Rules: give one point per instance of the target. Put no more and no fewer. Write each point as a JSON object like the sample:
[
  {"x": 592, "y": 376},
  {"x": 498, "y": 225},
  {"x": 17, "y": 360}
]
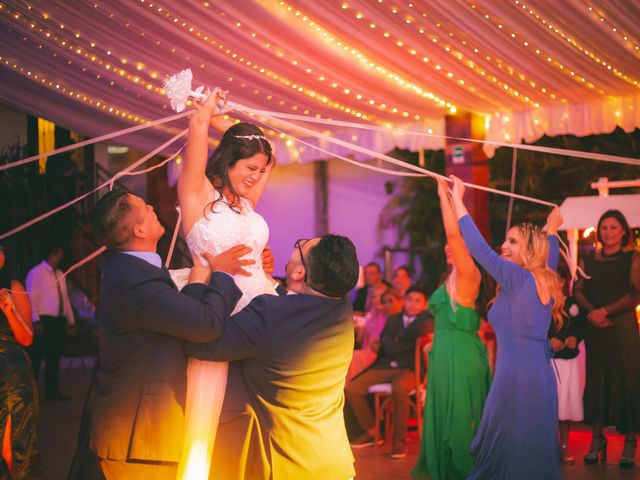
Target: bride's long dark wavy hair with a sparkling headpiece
[{"x": 242, "y": 140}]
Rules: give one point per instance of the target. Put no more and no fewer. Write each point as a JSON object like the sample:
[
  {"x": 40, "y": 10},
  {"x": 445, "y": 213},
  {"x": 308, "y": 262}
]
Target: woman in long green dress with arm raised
[{"x": 458, "y": 377}]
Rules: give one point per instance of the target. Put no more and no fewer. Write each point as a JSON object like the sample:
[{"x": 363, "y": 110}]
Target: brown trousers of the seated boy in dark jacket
[{"x": 402, "y": 380}]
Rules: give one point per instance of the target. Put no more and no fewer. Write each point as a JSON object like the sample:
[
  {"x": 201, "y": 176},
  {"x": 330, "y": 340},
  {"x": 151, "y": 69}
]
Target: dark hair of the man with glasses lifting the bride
[{"x": 333, "y": 266}]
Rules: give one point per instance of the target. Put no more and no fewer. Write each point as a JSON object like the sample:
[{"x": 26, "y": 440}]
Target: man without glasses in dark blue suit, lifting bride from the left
[{"x": 145, "y": 323}]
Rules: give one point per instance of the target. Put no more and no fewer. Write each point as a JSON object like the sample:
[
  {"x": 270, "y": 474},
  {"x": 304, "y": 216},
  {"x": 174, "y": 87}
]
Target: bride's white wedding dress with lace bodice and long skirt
[{"x": 206, "y": 381}]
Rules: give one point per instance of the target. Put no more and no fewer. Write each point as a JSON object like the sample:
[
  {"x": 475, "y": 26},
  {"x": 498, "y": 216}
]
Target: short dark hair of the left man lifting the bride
[{"x": 108, "y": 219}]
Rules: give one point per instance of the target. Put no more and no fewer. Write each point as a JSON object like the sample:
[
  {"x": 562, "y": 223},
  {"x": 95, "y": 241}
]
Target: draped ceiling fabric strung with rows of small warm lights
[{"x": 530, "y": 67}]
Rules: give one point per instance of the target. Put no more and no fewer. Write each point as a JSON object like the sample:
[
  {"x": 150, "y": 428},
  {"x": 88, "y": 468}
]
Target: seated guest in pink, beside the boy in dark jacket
[{"x": 370, "y": 334}]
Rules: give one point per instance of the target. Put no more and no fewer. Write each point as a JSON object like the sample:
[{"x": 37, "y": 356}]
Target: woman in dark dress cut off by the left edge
[{"x": 18, "y": 401}]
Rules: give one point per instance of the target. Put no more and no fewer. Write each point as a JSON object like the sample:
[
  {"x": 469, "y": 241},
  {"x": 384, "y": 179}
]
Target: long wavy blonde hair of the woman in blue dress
[{"x": 534, "y": 251}]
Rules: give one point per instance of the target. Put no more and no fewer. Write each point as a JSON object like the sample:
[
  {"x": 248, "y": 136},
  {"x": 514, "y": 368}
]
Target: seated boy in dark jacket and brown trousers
[{"x": 395, "y": 365}]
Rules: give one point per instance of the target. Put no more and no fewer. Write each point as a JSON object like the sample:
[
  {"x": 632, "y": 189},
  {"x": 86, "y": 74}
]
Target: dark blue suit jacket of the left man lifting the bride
[{"x": 144, "y": 326}]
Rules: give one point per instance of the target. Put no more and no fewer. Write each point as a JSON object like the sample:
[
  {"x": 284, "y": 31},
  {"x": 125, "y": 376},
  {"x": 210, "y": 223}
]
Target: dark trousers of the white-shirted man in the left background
[{"x": 48, "y": 345}]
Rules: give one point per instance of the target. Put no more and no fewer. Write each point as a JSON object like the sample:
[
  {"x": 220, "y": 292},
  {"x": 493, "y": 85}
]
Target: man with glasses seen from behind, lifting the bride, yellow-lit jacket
[{"x": 282, "y": 415}]
